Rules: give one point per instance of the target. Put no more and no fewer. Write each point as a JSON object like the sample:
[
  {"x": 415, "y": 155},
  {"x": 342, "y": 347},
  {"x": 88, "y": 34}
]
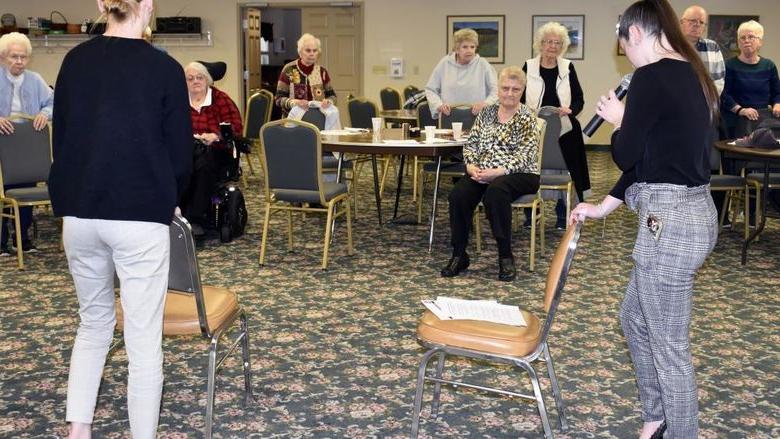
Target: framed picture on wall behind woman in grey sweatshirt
[{"x": 490, "y": 29}]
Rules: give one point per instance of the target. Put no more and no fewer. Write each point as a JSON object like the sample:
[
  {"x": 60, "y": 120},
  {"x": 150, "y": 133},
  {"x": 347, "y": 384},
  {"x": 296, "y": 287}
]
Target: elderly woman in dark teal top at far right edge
[{"x": 751, "y": 81}]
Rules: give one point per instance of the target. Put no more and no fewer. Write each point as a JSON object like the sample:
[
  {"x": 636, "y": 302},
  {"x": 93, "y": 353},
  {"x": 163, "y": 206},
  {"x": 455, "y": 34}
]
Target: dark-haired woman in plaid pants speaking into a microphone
[{"x": 662, "y": 143}]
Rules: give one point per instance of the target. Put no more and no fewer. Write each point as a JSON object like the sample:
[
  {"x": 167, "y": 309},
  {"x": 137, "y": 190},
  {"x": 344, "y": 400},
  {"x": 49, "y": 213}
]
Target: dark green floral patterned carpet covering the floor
[{"x": 334, "y": 352}]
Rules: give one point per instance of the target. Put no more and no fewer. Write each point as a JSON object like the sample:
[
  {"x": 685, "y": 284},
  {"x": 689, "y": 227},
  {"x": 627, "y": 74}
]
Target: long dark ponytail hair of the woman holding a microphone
[{"x": 657, "y": 17}]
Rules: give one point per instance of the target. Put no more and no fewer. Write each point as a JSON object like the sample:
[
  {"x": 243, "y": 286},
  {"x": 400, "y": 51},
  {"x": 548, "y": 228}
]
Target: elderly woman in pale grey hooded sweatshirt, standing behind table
[{"x": 461, "y": 77}]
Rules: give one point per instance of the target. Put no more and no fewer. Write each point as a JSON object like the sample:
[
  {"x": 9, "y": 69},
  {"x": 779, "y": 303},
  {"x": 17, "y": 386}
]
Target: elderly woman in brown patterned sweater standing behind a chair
[{"x": 304, "y": 83}]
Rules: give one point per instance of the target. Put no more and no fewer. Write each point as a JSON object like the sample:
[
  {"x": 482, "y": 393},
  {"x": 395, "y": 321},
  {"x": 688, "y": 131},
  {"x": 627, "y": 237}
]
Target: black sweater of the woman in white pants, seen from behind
[{"x": 122, "y": 132}]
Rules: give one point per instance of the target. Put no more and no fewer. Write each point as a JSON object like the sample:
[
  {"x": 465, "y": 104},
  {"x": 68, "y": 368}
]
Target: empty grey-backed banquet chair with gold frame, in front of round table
[{"x": 293, "y": 169}]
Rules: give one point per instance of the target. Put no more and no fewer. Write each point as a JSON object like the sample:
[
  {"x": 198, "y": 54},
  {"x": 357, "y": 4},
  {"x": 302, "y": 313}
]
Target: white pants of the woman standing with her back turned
[{"x": 139, "y": 251}]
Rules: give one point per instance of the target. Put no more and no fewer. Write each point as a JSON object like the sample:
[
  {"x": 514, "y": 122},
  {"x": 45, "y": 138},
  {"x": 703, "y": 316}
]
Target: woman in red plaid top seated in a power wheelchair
[{"x": 209, "y": 107}]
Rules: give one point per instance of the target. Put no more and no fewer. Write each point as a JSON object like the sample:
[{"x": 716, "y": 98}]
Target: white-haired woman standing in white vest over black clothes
[{"x": 552, "y": 81}]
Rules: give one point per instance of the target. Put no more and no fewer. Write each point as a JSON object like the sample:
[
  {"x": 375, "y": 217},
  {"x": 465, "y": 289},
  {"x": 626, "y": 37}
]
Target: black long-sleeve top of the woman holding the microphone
[{"x": 666, "y": 132}]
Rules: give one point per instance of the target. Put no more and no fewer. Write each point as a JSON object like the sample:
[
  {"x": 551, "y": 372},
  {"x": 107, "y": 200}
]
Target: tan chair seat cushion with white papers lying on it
[{"x": 482, "y": 336}]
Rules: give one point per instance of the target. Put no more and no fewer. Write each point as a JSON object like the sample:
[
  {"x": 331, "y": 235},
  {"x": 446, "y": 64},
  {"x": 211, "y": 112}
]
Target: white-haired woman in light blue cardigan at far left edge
[{"x": 21, "y": 92}]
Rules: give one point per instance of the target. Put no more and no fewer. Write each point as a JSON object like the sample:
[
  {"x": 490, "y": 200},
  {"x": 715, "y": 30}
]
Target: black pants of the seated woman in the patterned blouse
[{"x": 497, "y": 198}]
